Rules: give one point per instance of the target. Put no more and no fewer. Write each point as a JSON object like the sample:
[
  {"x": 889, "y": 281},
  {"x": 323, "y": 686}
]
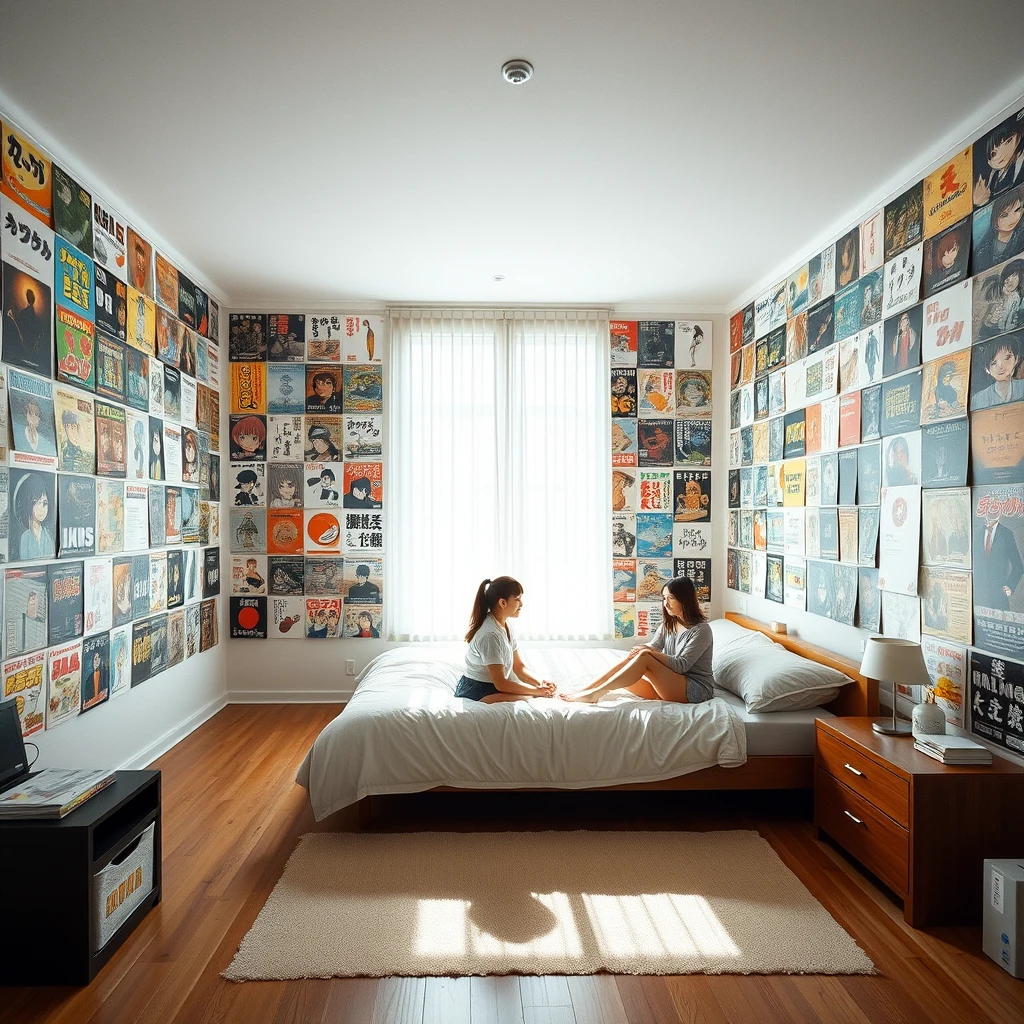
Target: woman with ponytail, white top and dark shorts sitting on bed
[{"x": 494, "y": 669}]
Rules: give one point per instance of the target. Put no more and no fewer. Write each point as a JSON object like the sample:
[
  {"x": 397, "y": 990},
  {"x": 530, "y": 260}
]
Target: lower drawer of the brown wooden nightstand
[{"x": 872, "y": 837}]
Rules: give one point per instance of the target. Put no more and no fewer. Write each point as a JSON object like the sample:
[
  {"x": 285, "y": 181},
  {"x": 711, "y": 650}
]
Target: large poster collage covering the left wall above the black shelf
[{"x": 110, "y": 477}]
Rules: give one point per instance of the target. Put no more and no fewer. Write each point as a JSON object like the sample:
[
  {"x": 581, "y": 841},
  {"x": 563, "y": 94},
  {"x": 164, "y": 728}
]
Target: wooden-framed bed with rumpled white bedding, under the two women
[{"x": 405, "y": 732}]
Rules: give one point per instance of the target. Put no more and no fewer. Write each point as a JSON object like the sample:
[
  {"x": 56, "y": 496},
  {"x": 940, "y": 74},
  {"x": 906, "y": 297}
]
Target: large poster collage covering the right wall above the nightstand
[{"x": 877, "y": 433}]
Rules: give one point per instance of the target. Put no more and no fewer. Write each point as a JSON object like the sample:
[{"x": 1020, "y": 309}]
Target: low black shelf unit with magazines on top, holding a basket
[{"x": 47, "y": 871}]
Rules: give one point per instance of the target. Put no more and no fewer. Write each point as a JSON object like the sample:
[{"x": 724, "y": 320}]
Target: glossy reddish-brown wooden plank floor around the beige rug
[{"x": 233, "y": 815}]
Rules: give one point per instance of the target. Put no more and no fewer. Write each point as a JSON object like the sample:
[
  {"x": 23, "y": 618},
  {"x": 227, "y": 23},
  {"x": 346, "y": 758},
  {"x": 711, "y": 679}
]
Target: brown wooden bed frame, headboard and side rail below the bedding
[{"x": 787, "y": 772}]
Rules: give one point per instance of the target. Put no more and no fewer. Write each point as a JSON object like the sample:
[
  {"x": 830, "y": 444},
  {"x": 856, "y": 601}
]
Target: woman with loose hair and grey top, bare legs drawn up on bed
[{"x": 675, "y": 665}]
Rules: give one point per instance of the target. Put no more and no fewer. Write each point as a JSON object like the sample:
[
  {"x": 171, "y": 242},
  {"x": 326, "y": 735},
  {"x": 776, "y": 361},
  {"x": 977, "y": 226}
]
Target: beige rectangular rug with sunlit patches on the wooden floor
[{"x": 570, "y": 903}]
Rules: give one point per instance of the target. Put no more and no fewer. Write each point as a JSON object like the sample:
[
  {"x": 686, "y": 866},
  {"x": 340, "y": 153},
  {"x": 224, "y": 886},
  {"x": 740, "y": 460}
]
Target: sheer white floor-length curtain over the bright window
[{"x": 498, "y": 456}]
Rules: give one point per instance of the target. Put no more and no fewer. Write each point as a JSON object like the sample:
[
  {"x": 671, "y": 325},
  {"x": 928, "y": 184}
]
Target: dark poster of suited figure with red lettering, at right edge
[{"x": 999, "y": 544}]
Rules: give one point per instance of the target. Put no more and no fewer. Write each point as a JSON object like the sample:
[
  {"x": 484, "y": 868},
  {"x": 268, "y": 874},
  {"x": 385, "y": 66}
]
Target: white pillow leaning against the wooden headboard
[{"x": 771, "y": 678}]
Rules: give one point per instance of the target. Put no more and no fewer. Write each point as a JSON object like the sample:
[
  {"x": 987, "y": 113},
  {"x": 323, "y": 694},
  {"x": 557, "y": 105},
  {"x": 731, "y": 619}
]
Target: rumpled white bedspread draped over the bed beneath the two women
[{"x": 405, "y": 732}]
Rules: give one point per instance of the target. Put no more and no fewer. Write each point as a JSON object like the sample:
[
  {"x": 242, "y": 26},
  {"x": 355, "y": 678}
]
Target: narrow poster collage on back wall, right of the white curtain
[{"x": 661, "y": 465}]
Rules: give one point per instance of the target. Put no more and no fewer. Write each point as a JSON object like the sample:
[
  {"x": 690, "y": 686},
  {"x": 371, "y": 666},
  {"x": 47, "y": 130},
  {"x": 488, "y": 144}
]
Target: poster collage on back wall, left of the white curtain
[{"x": 307, "y": 480}]
